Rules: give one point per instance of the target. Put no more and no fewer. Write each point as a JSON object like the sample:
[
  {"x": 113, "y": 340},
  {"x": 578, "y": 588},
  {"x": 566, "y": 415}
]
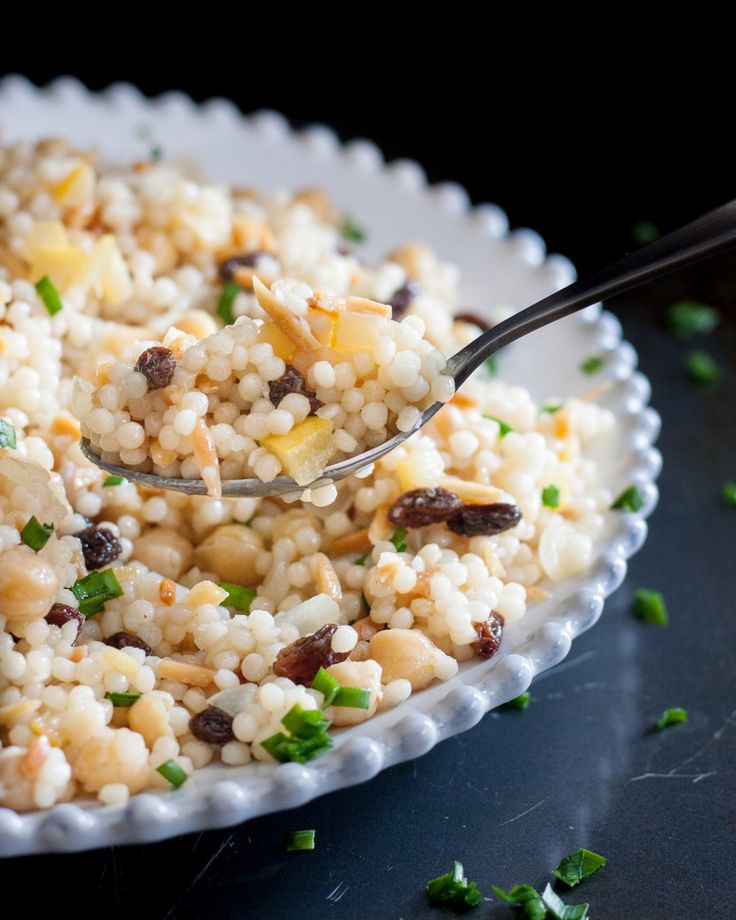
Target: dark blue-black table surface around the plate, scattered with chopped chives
[{"x": 581, "y": 767}]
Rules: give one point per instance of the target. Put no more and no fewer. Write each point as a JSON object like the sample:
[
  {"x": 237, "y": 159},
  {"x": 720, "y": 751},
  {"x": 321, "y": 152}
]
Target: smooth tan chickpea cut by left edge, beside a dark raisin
[{"x": 28, "y": 585}]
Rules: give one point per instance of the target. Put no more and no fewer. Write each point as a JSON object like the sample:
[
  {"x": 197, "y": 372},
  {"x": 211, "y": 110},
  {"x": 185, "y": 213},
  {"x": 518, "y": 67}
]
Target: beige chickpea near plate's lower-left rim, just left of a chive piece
[{"x": 113, "y": 756}]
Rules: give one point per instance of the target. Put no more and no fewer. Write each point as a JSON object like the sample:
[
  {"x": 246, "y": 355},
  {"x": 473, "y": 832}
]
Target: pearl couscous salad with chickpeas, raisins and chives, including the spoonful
[{"x": 146, "y": 634}]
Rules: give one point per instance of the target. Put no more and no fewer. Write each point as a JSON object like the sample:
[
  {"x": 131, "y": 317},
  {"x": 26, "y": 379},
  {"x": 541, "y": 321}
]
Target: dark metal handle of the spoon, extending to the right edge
[{"x": 706, "y": 236}]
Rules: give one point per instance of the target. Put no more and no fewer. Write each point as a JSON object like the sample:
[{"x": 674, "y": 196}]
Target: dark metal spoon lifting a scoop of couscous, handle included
[{"x": 706, "y": 236}]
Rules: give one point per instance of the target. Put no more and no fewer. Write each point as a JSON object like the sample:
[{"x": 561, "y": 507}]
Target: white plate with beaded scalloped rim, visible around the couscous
[{"x": 395, "y": 203}]
